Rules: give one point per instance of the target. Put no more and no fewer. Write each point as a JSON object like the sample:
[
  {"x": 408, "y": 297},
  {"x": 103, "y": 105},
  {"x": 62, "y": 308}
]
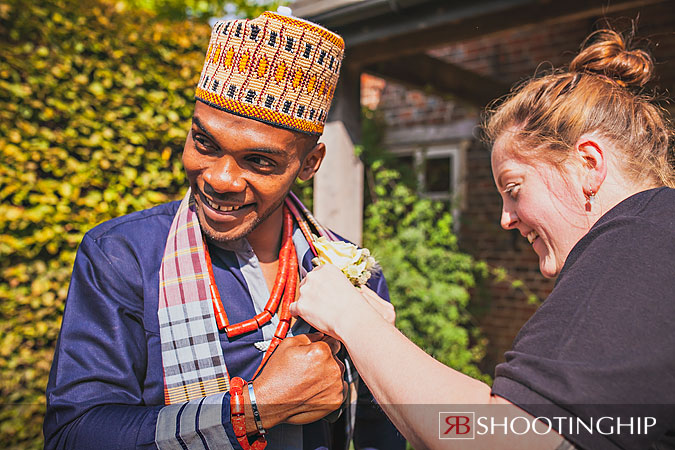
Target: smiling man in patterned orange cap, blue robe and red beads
[{"x": 177, "y": 331}]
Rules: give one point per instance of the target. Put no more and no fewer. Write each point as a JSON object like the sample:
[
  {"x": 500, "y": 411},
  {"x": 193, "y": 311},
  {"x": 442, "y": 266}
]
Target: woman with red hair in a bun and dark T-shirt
[{"x": 583, "y": 161}]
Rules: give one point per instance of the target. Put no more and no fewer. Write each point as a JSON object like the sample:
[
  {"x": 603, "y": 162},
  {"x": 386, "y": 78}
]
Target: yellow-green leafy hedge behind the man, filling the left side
[{"x": 95, "y": 104}]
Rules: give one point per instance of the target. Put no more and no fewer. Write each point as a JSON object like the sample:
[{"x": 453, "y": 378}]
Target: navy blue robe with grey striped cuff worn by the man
[{"x": 106, "y": 386}]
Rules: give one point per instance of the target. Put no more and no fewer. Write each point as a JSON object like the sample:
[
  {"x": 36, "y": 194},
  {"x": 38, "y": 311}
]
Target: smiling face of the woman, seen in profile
[{"x": 546, "y": 204}]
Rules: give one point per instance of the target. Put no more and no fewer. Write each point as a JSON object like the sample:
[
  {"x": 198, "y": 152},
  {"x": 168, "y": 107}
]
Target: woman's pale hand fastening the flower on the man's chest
[{"x": 328, "y": 302}]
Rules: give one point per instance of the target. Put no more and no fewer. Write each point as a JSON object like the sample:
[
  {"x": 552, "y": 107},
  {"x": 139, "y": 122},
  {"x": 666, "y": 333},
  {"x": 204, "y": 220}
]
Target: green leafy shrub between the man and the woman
[{"x": 431, "y": 282}]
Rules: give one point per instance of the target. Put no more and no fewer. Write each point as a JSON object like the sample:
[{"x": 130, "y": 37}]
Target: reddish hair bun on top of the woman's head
[{"x": 605, "y": 52}]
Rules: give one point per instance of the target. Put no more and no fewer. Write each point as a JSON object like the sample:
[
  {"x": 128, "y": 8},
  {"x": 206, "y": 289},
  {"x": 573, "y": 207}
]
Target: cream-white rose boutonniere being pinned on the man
[{"x": 356, "y": 263}]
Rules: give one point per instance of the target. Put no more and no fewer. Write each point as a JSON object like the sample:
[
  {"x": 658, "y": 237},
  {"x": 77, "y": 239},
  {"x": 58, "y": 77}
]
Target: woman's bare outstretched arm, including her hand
[{"x": 405, "y": 380}]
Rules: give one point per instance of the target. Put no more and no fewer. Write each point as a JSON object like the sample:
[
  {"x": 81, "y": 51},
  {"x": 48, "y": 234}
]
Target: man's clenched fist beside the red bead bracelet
[{"x": 302, "y": 381}]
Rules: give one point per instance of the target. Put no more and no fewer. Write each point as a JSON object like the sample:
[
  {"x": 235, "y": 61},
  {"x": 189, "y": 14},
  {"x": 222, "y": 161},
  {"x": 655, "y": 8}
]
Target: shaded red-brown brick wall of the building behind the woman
[{"x": 509, "y": 56}]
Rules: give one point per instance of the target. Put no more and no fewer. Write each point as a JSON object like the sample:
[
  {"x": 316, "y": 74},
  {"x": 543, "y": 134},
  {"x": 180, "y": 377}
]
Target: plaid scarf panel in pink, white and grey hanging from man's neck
[{"x": 192, "y": 357}]
